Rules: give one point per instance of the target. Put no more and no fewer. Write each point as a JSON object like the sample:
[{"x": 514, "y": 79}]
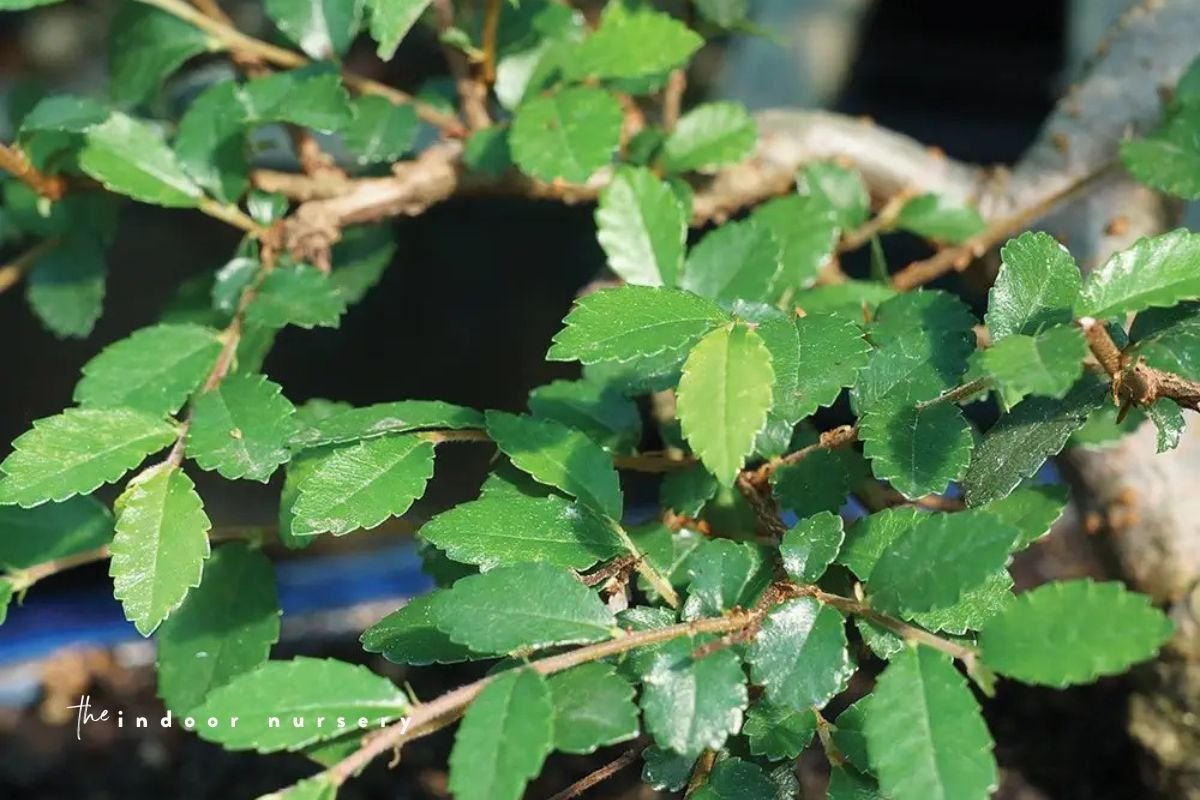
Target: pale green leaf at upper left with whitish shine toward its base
[{"x": 130, "y": 158}]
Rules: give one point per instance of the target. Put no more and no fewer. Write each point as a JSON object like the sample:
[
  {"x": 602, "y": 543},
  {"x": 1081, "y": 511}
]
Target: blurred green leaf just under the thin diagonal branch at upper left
[{"x": 311, "y": 98}]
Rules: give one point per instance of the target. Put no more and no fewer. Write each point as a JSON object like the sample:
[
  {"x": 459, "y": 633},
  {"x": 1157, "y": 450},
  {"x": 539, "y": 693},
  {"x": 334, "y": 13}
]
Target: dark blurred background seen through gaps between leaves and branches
[{"x": 465, "y": 315}]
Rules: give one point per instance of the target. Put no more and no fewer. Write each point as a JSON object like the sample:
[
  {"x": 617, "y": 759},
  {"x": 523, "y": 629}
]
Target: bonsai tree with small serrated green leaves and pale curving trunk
[{"x": 712, "y": 639}]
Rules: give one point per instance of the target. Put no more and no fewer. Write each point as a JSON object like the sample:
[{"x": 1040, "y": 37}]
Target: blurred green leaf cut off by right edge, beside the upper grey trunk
[{"x": 1169, "y": 159}]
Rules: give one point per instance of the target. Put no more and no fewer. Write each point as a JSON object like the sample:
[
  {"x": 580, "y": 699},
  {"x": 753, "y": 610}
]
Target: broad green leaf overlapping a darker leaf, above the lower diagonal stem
[{"x": 526, "y": 606}]
